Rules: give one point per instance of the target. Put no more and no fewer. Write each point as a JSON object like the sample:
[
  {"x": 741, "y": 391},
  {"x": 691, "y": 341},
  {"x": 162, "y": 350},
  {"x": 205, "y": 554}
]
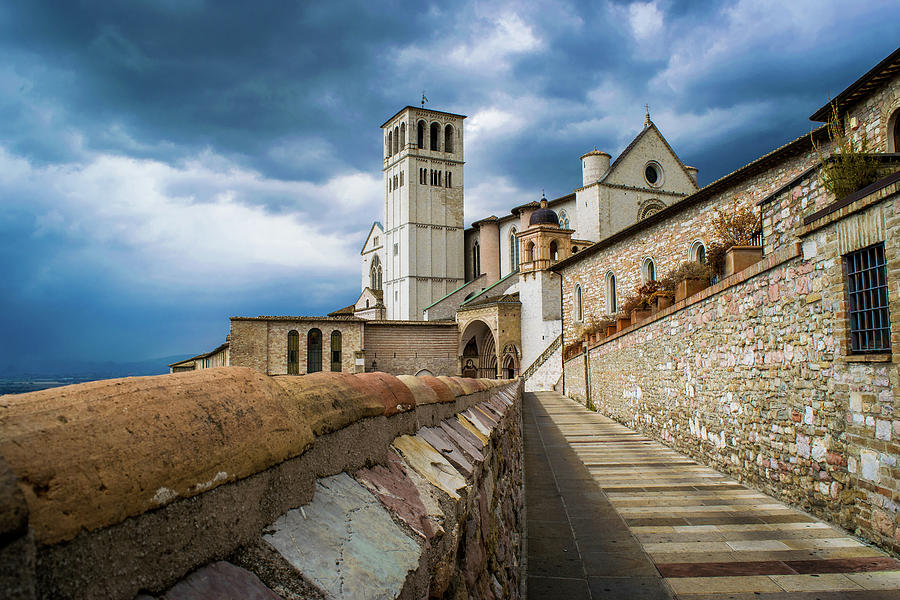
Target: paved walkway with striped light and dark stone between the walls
[{"x": 614, "y": 514}]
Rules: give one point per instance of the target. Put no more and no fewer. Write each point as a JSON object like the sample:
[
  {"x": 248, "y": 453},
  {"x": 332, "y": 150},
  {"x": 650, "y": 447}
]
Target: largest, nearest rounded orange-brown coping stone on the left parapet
[{"x": 92, "y": 454}]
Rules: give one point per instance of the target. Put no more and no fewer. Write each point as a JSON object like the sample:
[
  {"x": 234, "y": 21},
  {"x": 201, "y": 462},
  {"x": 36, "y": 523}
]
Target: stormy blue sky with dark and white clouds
[{"x": 166, "y": 164}]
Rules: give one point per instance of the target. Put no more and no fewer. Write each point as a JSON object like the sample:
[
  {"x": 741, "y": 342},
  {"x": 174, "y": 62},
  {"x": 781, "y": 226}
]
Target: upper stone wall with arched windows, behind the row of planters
[{"x": 668, "y": 243}]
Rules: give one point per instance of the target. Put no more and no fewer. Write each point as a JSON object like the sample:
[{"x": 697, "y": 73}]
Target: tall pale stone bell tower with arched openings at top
[{"x": 423, "y": 209}]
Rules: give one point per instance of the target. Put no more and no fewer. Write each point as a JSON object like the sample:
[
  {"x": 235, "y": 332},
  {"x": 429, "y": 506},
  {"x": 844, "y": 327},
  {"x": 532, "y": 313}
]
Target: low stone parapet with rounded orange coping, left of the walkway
[{"x": 227, "y": 483}]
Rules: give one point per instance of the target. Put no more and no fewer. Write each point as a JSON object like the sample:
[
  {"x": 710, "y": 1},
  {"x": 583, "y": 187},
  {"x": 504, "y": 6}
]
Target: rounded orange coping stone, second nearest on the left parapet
[{"x": 328, "y": 402}]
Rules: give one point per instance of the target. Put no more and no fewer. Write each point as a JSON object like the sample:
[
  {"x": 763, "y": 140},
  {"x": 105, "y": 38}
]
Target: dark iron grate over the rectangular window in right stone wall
[{"x": 870, "y": 327}]
